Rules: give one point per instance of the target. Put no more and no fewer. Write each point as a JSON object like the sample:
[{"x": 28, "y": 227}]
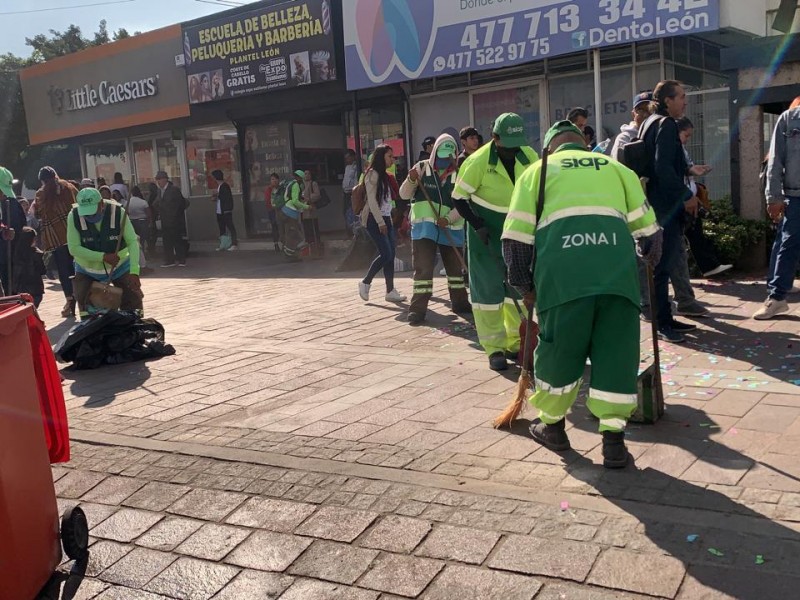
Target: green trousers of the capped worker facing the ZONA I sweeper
[{"x": 496, "y": 318}]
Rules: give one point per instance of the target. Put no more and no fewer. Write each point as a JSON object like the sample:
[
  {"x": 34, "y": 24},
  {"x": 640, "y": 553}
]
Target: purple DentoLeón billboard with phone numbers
[{"x": 388, "y": 41}]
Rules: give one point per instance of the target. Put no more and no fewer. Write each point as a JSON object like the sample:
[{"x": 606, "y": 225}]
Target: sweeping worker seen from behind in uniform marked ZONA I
[{"x": 584, "y": 283}]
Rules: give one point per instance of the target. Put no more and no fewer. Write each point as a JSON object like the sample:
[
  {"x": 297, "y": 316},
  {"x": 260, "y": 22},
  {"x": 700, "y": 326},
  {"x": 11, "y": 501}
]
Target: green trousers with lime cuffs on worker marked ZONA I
[{"x": 606, "y": 330}]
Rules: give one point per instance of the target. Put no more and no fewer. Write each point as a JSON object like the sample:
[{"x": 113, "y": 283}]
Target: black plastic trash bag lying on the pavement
[{"x": 112, "y": 338}]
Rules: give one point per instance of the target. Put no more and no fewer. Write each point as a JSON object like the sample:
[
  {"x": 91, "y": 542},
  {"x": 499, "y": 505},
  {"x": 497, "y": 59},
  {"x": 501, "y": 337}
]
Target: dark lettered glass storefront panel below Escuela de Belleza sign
[{"x": 267, "y": 150}]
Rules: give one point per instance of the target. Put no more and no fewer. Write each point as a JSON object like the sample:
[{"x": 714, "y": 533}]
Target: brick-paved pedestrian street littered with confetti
[{"x": 303, "y": 441}]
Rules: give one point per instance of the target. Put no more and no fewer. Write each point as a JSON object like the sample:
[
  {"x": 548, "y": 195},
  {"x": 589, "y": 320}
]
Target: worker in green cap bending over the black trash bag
[{"x": 93, "y": 229}]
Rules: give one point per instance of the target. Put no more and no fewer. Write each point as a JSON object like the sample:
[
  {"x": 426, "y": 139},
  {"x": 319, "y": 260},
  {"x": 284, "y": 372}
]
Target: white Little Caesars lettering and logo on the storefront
[{"x": 106, "y": 93}]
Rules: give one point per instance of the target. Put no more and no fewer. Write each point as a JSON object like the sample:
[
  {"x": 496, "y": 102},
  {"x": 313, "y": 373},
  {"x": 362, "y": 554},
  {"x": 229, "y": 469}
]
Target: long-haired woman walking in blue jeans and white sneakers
[{"x": 377, "y": 218}]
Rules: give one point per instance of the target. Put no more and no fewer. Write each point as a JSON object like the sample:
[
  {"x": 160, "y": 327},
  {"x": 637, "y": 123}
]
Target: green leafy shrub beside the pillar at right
[{"x": 732, "y": 235}]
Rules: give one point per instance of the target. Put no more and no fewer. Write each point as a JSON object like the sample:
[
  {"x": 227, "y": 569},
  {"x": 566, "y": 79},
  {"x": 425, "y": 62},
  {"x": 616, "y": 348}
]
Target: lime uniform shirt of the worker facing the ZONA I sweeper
[{"x": 484, "y": 180}]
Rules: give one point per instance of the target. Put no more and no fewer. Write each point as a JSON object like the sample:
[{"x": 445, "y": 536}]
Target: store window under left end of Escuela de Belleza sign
[{"x": 210, "y": 148}]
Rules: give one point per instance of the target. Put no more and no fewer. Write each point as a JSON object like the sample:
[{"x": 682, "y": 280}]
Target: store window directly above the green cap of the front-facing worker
[{"x": 524, "y": 101}]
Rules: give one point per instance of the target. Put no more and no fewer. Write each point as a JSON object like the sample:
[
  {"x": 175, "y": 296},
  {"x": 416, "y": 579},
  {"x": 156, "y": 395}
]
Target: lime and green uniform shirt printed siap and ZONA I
[{"x": 594, "y": 207}]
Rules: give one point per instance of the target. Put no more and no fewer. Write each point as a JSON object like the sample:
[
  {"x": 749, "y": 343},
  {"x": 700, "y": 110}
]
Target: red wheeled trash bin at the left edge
[{"x": 29, "y": 527}]
